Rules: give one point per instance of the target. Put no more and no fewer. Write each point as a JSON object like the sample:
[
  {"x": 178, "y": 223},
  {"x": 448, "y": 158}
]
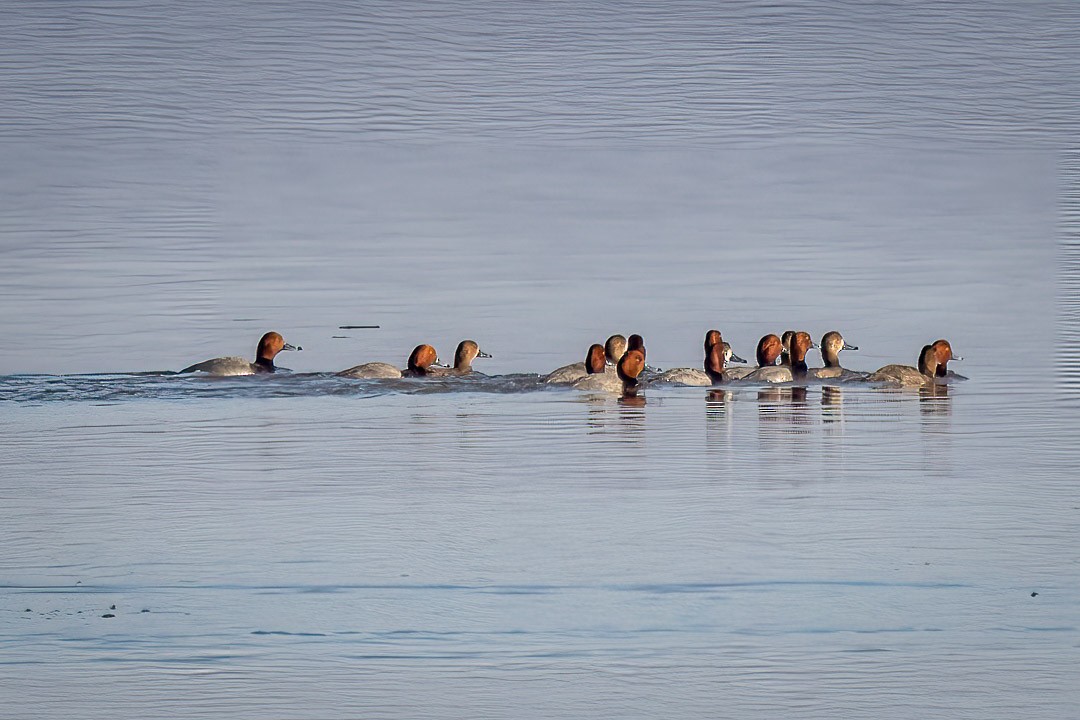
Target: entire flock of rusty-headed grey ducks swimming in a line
[{"x": 619, "y": 366}]
